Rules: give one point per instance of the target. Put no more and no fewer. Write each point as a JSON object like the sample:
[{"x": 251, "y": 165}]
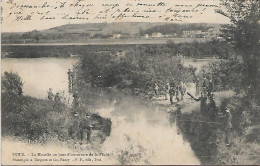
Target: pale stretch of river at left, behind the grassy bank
[{"x": 40, "y": 74}]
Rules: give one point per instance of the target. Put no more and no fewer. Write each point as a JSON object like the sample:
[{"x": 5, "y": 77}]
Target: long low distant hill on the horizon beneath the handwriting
[{"x": 89, "y": 31}]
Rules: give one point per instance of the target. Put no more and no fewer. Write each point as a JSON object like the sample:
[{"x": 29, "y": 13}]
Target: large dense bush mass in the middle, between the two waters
[{"x": 135, "y": 73}]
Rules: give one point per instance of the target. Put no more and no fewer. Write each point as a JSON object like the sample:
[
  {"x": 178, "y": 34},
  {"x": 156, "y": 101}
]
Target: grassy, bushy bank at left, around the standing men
[{"x": 41, "y": 121}]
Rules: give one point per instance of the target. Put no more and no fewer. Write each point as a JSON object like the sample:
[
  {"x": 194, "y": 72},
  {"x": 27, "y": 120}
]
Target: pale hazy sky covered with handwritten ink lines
[{"x": 27, "y": 15}]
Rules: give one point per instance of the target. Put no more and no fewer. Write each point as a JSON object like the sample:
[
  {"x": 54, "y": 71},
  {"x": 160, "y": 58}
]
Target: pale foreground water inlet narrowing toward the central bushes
[{"x": 145, "y": 136}]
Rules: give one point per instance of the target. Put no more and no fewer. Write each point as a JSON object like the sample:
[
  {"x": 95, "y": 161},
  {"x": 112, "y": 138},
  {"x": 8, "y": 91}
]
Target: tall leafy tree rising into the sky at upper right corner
[{"x": 243, "y": 34}]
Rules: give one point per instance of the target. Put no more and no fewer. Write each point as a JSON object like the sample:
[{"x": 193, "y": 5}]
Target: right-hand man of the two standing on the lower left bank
[{"x": 86, "y": 128}]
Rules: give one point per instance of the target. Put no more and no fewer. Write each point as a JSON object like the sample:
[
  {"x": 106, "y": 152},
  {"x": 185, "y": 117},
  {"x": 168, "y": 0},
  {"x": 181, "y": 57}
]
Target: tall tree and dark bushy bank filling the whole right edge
[{"x": 241, "y": 74}]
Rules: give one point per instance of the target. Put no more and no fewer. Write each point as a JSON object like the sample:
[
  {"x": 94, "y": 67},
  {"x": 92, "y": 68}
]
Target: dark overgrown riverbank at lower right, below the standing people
[{"x": 207, "y": 137}]
